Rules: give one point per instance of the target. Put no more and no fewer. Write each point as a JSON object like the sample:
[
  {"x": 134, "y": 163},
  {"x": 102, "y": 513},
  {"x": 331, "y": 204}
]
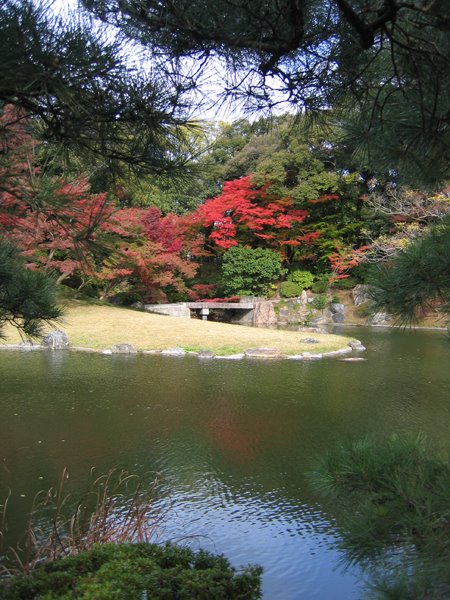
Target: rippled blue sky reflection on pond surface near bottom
[{"x": 290, "y": 540}]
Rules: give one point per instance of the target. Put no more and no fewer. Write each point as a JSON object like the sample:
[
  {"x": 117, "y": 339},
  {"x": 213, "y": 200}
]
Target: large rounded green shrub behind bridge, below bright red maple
[{"x": 250, "y": 271}]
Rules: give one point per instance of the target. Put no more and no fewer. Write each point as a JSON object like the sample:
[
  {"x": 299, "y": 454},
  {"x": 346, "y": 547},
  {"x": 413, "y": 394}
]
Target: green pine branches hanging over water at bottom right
[{"x": 394, "y": 497}]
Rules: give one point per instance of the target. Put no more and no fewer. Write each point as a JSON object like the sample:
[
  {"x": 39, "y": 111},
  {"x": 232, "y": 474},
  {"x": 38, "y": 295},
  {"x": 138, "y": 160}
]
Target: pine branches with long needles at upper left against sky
[{"x": 80, "y": 91}]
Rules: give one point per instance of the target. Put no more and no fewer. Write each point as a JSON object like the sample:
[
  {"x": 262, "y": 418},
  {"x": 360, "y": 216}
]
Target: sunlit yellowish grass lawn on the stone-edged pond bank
[{"x": 99, "y": 326}]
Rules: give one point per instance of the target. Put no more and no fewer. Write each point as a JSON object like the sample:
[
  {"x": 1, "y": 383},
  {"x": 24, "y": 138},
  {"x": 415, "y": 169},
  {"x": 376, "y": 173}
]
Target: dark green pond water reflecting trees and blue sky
[{"x": 233, "y": 441}]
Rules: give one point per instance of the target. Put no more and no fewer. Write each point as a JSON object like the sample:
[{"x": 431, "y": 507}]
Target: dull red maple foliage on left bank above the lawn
[{"x": 60, "y": 231}]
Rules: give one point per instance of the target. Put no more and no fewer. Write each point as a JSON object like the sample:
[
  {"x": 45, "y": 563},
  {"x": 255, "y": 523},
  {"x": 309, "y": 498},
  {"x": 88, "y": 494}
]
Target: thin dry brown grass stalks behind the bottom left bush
[{"x": 117, "y": 509}]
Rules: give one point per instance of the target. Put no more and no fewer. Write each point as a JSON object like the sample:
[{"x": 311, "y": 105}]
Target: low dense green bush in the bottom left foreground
[{"x": 132, "y": 571}]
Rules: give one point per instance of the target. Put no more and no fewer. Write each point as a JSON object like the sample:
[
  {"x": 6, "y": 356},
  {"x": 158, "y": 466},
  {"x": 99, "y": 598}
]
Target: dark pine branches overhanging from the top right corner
[{"x": 384, "y": 64}]
